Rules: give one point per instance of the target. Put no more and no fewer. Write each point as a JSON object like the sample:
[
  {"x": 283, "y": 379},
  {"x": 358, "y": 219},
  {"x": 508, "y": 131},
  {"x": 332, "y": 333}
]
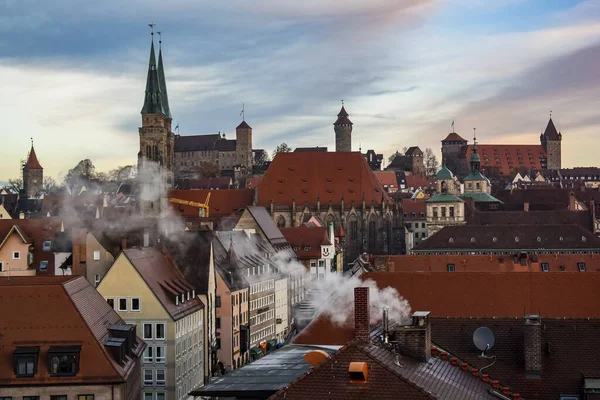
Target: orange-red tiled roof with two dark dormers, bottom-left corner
[{"x": 58, "y": 311}]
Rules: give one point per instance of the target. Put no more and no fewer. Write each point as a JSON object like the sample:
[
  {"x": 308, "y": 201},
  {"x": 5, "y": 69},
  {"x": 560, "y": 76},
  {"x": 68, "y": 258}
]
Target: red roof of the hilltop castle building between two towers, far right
[{"x": 509, "y": 156}]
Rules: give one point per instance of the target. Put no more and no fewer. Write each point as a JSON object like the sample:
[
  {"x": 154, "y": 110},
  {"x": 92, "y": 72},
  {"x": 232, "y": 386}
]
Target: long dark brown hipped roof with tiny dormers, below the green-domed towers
[{"x": 471, "y": 238}]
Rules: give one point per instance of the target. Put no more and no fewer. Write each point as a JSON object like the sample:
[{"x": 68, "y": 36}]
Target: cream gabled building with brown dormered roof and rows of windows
[{"x": 147, "y": 290}]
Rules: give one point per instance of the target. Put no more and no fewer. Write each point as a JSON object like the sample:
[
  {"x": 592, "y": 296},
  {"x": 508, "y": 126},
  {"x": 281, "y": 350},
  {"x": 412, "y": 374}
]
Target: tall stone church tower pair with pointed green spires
[{"x": 155, "y": 158}]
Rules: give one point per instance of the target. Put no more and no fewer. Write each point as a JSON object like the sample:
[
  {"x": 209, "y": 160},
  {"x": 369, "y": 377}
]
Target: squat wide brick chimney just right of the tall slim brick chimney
[{"x": 415, "y": 339}]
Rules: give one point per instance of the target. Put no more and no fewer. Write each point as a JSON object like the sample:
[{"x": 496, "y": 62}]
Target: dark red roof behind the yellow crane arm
[{"x": 222, "y": 202}]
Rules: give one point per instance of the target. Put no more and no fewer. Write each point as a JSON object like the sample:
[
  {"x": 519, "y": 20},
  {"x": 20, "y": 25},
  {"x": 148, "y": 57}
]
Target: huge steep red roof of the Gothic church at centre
[{"x": 330, "y": 176}]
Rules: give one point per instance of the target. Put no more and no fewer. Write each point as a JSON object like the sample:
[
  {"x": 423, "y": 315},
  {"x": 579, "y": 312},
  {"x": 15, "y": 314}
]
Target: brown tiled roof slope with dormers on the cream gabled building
[{"x": 164, "y": 279}]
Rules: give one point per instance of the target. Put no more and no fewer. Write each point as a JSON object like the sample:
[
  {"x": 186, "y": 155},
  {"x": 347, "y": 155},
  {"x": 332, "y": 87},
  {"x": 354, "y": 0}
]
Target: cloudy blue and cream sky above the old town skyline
[{"x": 72, "y": 74}]
